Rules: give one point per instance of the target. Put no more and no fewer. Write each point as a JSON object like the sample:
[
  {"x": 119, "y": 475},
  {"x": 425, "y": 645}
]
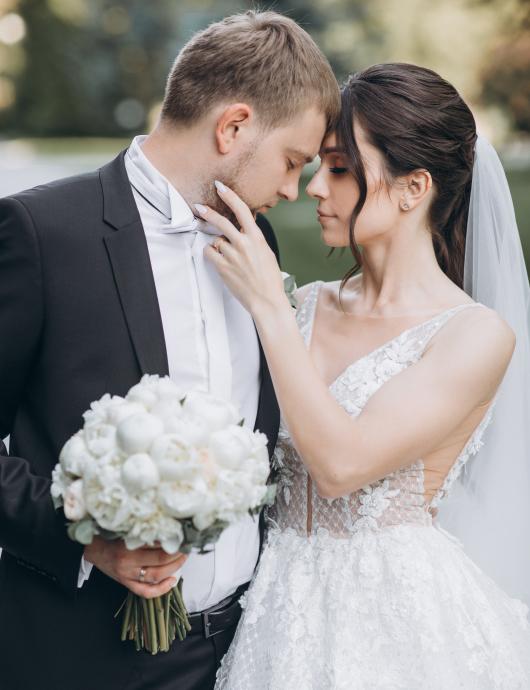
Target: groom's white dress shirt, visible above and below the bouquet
[{"x": 211, "y": 346}]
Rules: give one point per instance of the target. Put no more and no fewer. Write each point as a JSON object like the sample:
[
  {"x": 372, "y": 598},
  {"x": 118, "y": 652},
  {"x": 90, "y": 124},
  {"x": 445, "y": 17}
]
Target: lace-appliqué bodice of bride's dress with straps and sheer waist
[{"x": 395, "y": 499}]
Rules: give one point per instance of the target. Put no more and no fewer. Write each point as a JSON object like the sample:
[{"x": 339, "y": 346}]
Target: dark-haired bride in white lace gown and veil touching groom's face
[{"x": 387, "y": 384}]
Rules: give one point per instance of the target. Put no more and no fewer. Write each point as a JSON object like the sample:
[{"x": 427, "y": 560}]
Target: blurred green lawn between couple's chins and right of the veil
[{"x": 304, "y": 254}]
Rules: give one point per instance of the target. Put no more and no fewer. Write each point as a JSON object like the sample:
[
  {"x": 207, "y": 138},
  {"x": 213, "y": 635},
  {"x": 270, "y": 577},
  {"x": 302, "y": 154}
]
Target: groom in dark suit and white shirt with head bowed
[{"x": 102, "y": 279}]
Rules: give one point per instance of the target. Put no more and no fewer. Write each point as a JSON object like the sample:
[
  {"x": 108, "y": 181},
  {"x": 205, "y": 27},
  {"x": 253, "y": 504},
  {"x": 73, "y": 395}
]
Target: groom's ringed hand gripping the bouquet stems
[{"x": 127, "y": 567}]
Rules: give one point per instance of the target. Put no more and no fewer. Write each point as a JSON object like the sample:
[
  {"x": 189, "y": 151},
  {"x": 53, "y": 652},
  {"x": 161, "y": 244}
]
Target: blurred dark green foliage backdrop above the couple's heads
[{"x": 98, "y": 67}]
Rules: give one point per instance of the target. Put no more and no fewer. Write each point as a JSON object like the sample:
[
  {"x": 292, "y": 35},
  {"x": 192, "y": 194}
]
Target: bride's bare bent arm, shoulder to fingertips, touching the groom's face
[{"x": 403, "y": 421}]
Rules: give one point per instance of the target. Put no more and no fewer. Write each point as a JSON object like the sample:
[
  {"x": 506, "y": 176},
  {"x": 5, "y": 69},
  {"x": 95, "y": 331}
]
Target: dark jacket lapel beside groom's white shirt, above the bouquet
[{"x": 131, "y": 267}]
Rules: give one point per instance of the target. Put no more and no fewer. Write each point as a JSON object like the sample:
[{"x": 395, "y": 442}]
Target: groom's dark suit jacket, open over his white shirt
[{"x": 79, "y": 317}]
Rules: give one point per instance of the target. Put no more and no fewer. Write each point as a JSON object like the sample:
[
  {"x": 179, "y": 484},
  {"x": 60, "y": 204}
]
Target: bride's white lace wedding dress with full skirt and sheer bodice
[{"x": 365, "y": 592}]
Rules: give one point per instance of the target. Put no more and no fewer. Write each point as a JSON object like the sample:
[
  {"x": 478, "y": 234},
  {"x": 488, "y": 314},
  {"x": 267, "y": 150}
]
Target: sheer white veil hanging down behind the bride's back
[{"x": 489, "y": 507}]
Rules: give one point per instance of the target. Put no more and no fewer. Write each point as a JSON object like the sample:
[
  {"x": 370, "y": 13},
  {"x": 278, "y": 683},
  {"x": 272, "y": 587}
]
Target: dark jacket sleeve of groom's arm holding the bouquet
[{"x": 30, "y": 528}]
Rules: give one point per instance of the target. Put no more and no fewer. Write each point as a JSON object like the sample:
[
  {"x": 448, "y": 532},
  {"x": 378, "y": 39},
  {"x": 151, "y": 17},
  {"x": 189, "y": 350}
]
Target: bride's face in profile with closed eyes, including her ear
[{"x": 337, "y": 192}]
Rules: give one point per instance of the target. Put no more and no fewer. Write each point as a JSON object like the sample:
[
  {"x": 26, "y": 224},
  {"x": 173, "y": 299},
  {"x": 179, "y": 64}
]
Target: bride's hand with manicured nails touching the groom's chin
[{"x": 243, "y": 258}]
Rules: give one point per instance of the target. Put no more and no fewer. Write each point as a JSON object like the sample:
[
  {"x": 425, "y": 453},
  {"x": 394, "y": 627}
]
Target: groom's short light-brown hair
[{"x": 261, "y": 58}]
